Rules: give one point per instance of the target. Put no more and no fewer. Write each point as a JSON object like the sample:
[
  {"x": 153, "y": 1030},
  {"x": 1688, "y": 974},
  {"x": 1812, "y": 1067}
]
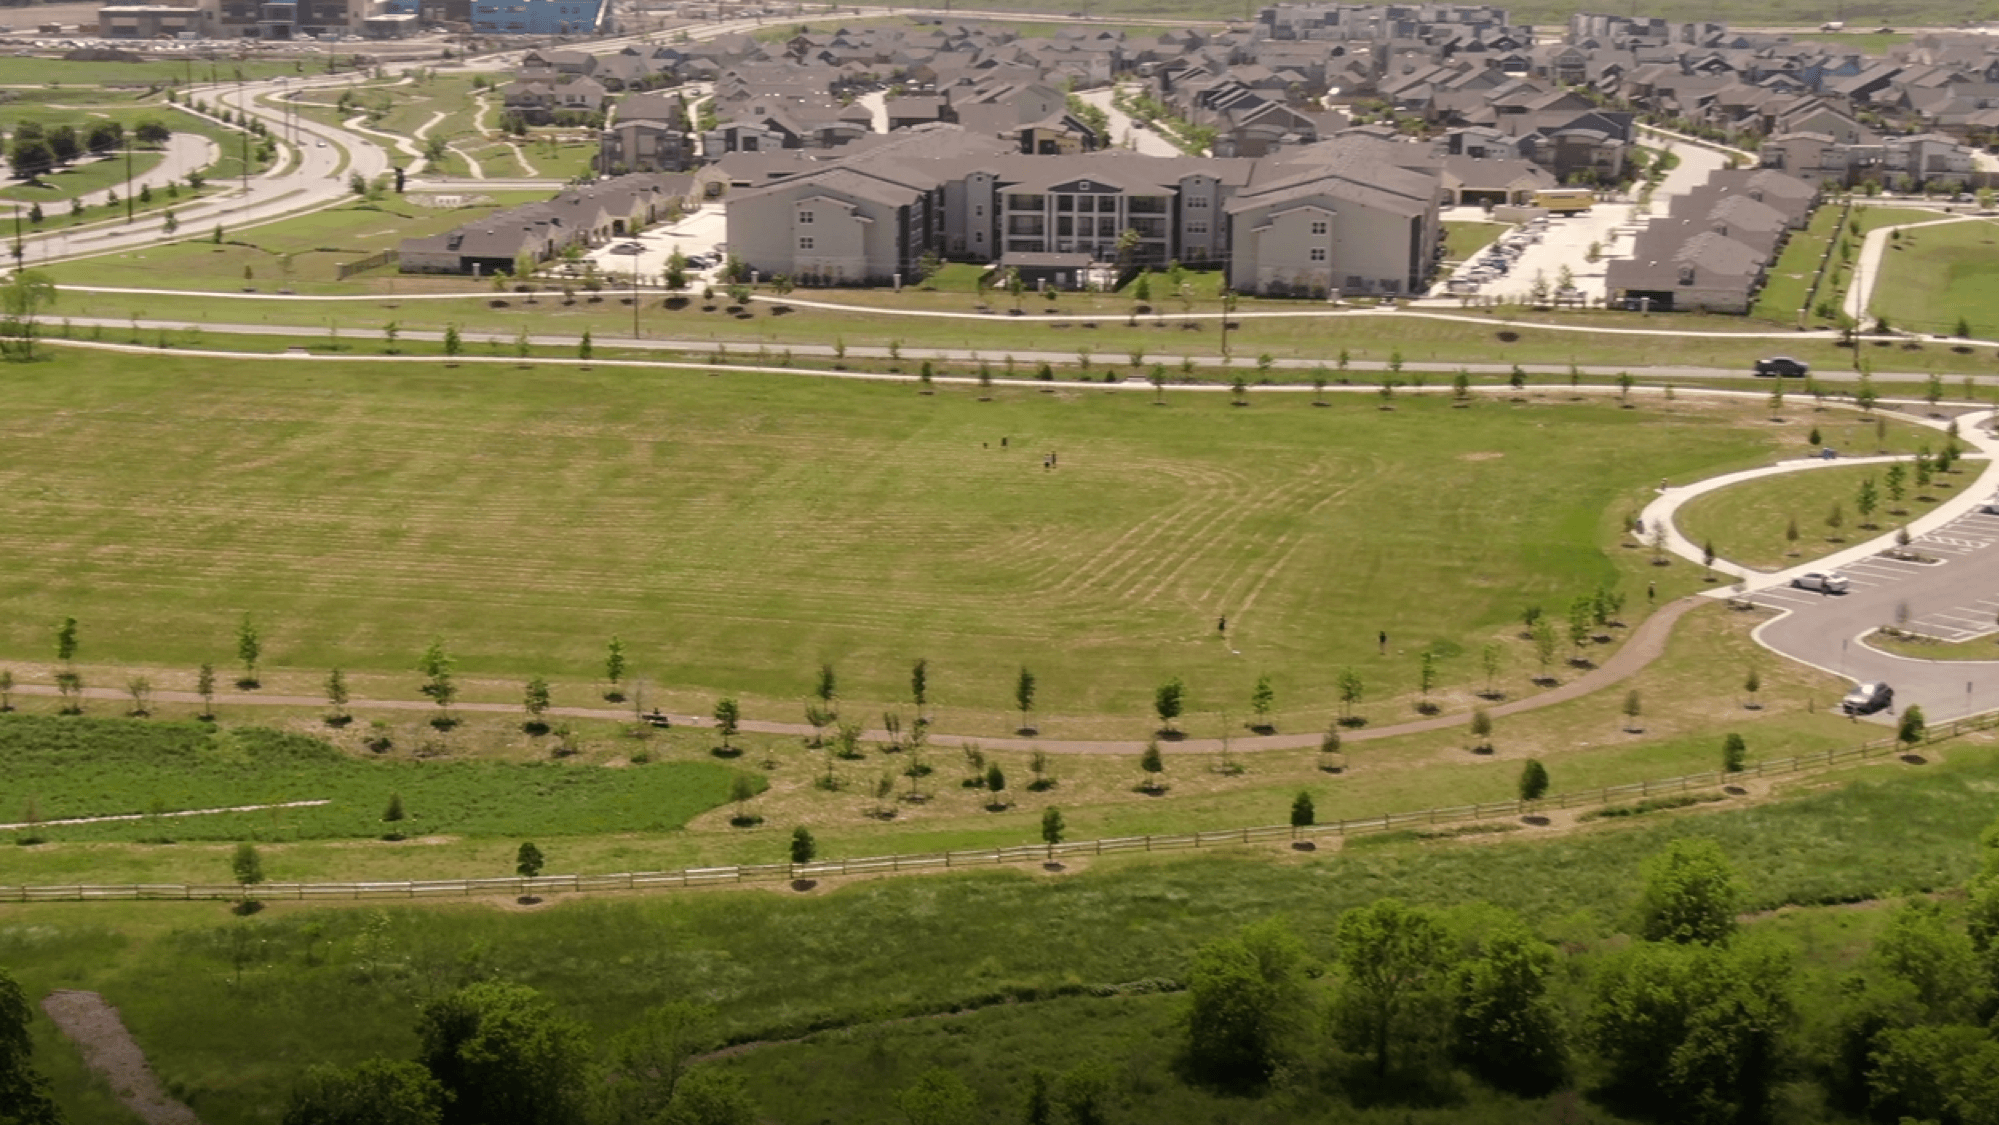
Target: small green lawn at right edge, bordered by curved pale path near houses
[{"x": 1940, "y": 275}]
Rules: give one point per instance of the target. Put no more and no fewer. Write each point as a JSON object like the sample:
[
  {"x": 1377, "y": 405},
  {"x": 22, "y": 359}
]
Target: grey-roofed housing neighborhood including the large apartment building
[{"x": 1320, "y": 147}]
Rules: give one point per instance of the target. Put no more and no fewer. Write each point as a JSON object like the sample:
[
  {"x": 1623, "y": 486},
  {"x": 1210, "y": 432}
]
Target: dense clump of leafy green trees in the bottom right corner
[{"x": 1684, "y": 1020}]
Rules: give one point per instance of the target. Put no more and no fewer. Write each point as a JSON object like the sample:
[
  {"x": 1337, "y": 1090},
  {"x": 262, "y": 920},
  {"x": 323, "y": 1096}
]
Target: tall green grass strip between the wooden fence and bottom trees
[{"x": 339, "y": 984}]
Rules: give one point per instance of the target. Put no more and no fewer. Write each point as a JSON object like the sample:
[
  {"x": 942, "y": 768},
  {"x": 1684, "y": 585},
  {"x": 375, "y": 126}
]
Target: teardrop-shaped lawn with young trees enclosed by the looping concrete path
[{"x": 1748, "y": 523}]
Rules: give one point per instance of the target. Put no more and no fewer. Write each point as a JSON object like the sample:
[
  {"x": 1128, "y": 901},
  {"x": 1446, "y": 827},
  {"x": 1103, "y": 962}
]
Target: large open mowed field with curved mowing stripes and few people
[{"x": 741, "y": 531}]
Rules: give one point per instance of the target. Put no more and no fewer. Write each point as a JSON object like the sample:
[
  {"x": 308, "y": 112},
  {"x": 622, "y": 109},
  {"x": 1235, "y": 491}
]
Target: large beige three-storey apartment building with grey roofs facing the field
[{"x": 1330, "y": 219}]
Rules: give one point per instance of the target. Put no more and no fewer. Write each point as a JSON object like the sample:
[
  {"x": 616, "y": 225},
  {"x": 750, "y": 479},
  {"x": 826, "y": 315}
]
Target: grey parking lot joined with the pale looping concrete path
[{"x": 1954, "y": 598}]
